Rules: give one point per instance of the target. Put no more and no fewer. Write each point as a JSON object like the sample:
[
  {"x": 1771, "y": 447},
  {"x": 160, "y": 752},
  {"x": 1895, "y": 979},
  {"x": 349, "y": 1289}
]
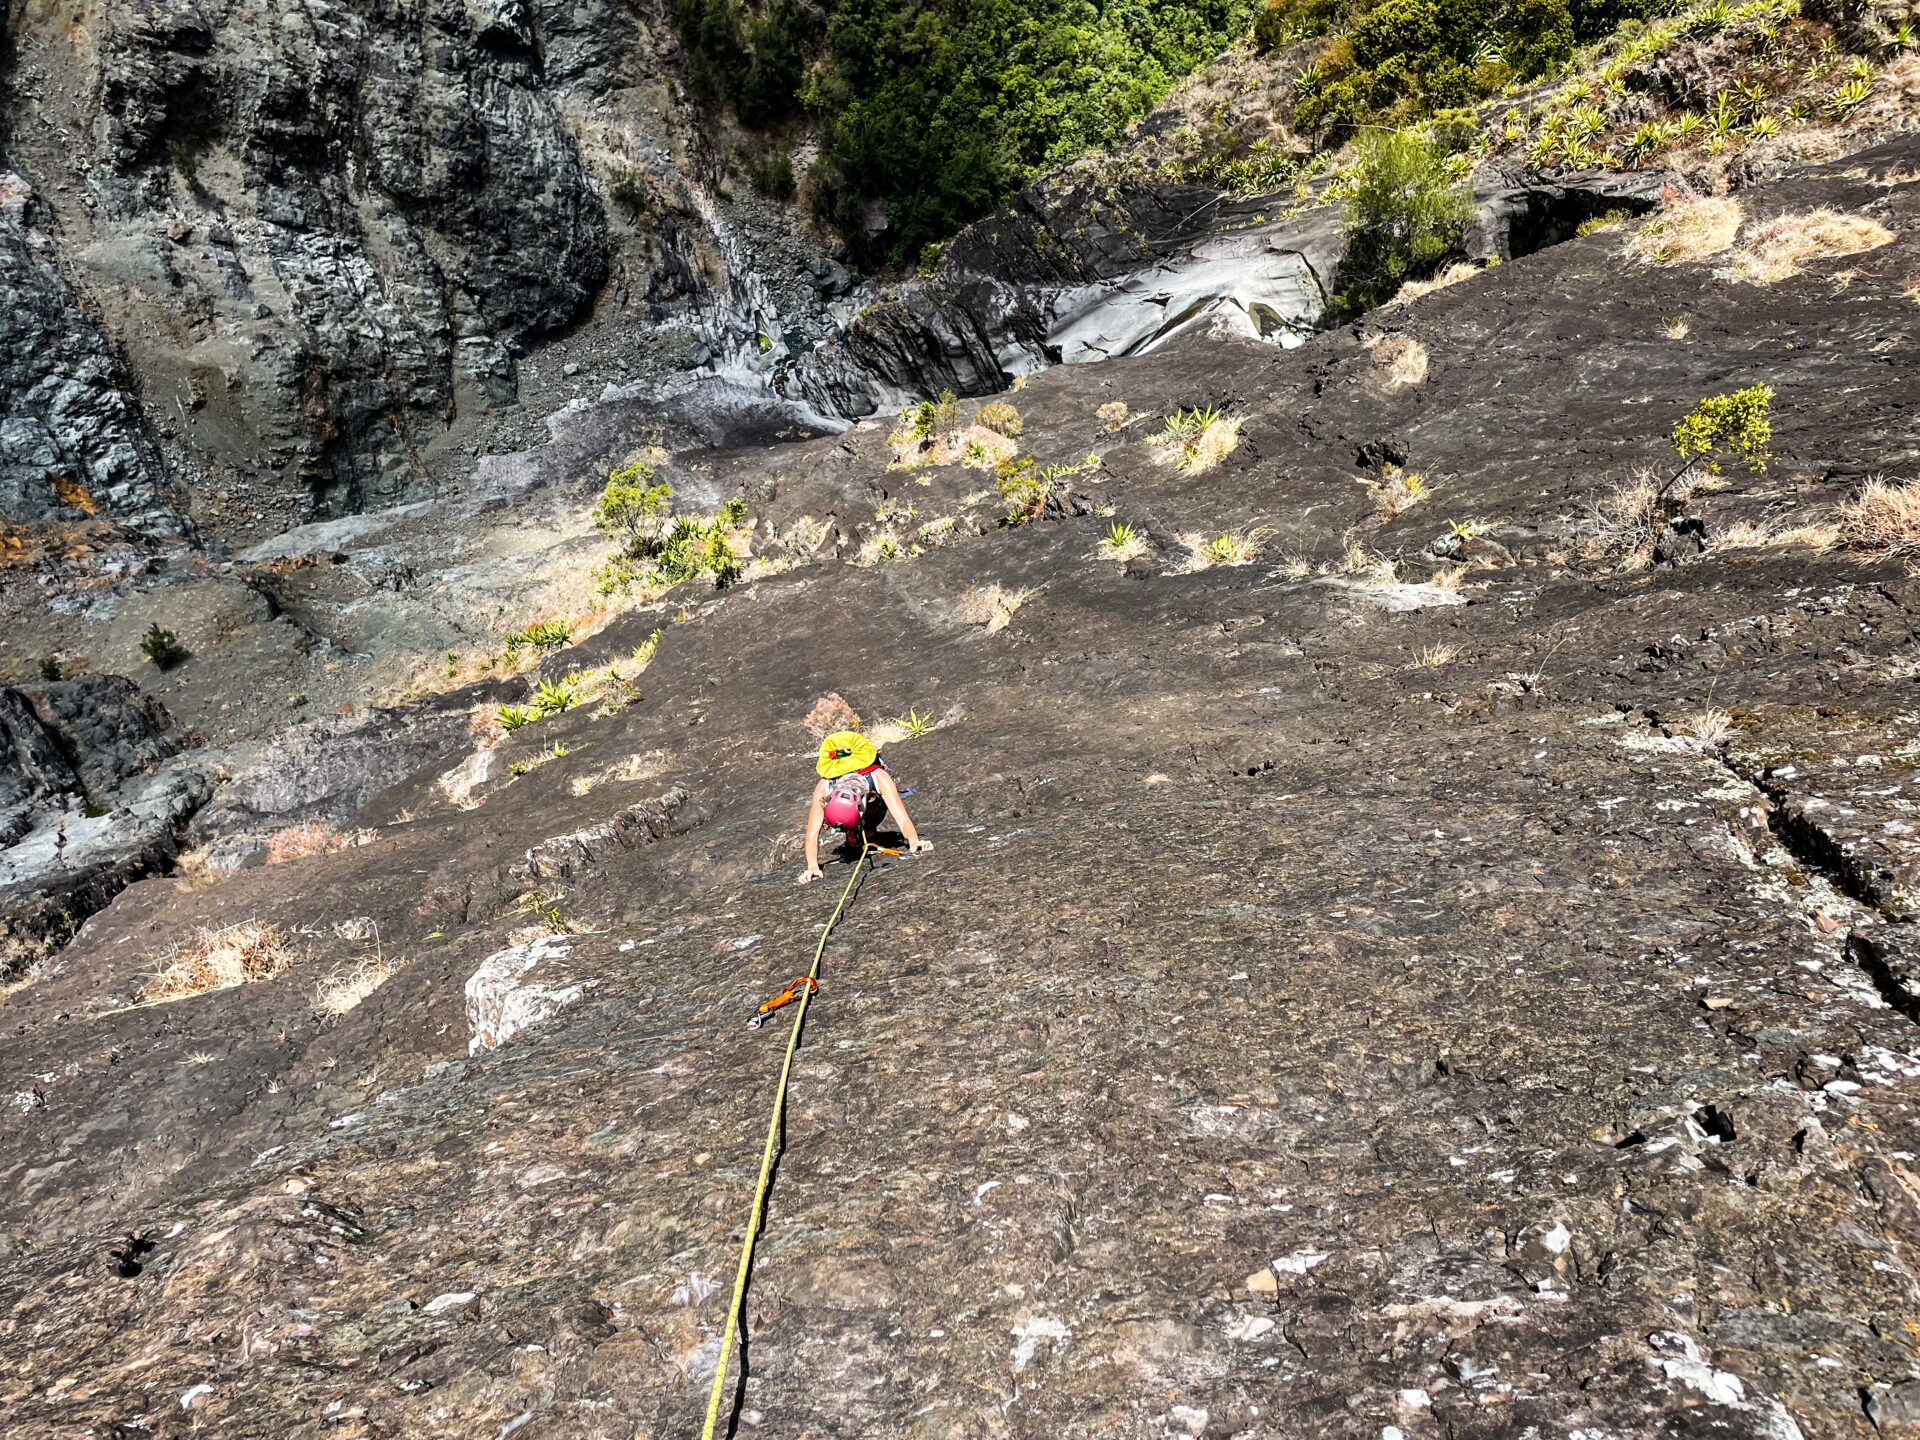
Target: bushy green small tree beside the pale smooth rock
[{"x": 1403, "y": 218}]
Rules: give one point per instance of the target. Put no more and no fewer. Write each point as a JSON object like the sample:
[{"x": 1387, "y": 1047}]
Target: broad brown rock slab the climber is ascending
[{"x": 1397, "y": 959}]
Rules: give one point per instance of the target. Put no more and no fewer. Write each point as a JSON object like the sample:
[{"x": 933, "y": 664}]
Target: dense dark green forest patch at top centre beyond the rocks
[{"x": 944, "y": 108}]
